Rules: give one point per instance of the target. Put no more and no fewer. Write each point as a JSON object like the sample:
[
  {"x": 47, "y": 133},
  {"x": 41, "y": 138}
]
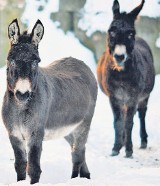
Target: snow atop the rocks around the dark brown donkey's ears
[{"x": 98, "y": 16}]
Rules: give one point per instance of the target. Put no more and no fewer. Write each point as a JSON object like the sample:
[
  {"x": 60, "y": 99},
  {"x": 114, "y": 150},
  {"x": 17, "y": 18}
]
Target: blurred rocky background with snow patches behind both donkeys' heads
[{"x": 87, "y": 20}]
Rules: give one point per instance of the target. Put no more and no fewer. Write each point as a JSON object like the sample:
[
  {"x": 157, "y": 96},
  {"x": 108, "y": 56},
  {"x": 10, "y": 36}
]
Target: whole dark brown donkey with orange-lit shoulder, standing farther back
[{"x": 126, "y": 74}]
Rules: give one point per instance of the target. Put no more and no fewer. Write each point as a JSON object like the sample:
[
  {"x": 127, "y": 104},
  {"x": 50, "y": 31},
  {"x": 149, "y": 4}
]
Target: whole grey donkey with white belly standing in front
[{"x": 42, "y": 103}]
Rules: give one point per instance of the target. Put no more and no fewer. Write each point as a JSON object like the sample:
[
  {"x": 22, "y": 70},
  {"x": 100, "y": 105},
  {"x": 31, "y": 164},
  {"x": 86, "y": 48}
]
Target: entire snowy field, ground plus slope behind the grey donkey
[{"x": 142, "y": 170}]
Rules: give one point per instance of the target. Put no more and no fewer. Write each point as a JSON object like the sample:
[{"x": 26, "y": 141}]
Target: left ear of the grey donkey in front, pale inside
[{"x": 14, "y": 32}]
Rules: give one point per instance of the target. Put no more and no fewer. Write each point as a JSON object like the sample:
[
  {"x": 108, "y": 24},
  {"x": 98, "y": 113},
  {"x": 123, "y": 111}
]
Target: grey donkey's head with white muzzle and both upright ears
[{"x": 22, "y": 61}]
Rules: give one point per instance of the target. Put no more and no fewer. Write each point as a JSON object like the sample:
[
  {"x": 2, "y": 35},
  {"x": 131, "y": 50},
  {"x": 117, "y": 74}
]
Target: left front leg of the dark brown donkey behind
[{"x": 118, "y": 127}]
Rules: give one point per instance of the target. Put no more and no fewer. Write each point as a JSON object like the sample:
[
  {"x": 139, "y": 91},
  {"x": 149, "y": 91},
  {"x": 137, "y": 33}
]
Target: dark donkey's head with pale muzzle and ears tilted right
[{"x": 121, "y": 34}]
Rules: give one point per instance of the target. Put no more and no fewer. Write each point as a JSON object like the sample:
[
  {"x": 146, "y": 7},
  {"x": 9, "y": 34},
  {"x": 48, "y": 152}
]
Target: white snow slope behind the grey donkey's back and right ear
[{"x": 55, "y": 44}]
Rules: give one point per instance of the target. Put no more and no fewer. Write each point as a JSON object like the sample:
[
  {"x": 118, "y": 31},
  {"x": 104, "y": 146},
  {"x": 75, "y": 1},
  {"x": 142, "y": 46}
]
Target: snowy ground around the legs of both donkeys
[{"x": 142, "y": 170}]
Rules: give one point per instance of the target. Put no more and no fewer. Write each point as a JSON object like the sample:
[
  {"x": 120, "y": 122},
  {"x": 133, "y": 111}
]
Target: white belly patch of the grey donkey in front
[{"x": 60, "y": 132}]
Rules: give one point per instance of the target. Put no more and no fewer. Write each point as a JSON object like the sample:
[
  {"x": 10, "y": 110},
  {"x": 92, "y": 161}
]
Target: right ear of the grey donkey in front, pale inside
[{"x": 37, "y": 32}]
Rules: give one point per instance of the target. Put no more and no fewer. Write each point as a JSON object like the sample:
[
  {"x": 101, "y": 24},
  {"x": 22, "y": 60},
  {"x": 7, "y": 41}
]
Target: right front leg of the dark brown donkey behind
[{"x": 128, "y": 131}]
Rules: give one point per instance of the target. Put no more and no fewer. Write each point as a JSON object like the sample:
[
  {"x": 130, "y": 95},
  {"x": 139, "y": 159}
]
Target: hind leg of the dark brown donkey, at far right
[{"x": 142, "y": 108}]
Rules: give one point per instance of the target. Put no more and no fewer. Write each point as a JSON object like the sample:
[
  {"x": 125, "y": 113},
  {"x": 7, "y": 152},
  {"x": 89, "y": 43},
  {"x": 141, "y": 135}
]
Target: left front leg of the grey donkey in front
[{"x": 20, "y": 157}]
